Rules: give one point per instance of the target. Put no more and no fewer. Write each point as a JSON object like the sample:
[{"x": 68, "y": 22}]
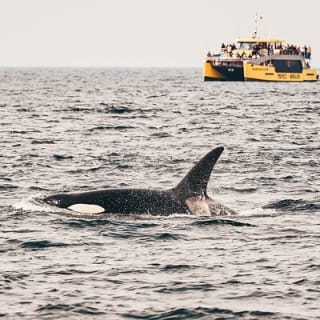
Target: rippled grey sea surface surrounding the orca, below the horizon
[{"x": 64, "y": 130}]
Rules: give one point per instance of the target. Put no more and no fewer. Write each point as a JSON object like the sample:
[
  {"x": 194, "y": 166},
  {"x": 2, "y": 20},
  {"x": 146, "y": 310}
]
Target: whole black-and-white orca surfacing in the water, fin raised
[{"x": 188, "y": 197}]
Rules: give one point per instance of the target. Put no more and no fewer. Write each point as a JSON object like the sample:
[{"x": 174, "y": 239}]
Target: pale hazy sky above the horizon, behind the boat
[{"x": 138, "y": 33}]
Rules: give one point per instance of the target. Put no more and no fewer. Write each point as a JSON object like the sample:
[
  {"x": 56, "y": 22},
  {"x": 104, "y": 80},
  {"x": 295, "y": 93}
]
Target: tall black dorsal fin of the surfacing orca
[{"x": 195, "y": 183}]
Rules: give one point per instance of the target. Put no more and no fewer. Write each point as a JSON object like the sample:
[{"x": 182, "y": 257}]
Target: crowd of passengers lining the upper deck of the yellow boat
[{"x": 261, "y": 49}]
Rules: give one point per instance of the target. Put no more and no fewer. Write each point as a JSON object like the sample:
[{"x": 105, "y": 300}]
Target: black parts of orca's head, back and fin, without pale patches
[{"x": 125, "y": 201}]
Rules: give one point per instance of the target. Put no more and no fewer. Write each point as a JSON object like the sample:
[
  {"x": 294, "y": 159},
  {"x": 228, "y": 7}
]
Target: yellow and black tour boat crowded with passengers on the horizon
[{"x": 259, "y": 59}]
